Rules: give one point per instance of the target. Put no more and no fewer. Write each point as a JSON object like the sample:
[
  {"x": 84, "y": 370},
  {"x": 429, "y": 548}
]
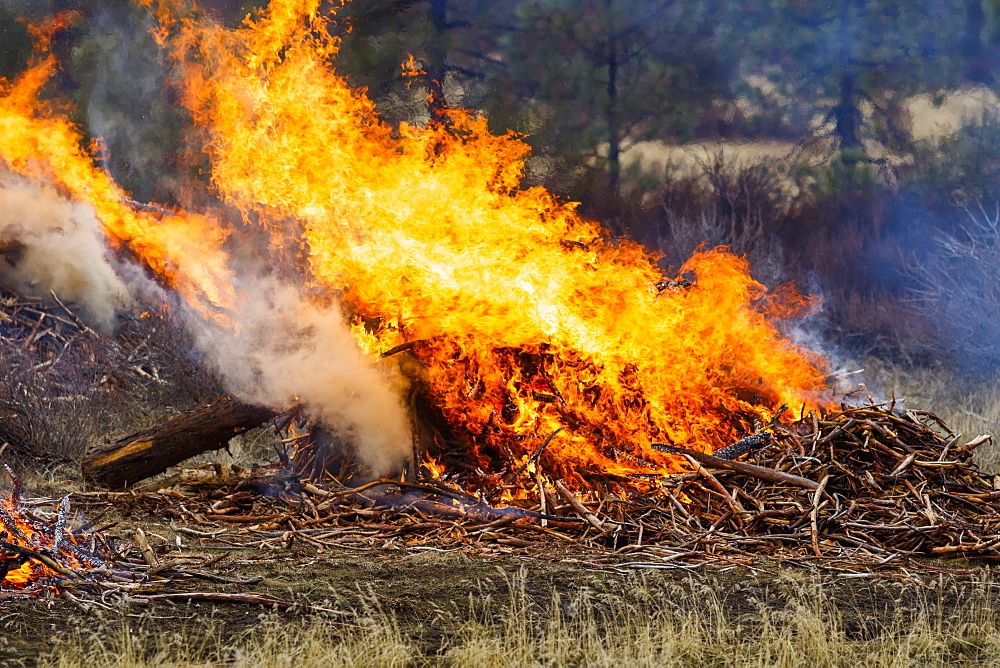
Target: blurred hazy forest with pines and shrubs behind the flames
[{"x": 851, "y": 147}]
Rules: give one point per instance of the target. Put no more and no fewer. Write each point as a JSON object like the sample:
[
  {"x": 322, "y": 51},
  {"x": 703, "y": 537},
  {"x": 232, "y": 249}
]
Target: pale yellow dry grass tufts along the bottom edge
[{"x": 686, "y": 623}]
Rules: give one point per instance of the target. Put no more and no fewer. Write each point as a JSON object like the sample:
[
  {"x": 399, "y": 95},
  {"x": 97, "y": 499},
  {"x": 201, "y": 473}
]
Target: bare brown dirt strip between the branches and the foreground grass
[{"x": 425, "y": 589}]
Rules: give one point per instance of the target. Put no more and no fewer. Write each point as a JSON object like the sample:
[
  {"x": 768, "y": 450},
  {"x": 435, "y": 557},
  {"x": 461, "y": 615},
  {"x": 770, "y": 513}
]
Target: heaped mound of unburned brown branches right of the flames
[{"x": 884, "y": 482}]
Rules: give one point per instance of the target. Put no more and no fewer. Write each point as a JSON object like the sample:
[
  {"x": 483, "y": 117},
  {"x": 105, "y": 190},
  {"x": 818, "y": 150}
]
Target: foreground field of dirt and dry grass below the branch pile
[{"x": 458, "y": 611}]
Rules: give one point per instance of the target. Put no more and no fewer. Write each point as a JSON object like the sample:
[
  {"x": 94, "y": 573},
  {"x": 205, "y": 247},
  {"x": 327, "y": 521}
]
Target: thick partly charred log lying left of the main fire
[{"x": 152, "y": 451}]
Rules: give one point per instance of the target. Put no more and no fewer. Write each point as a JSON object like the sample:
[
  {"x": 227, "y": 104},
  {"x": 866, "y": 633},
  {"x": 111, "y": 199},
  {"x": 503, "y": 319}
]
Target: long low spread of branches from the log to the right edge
[{"x": 859, "y": 488}]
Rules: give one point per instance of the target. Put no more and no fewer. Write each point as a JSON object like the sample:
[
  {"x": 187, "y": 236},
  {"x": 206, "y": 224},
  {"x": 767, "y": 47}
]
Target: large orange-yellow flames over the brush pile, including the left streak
[{"x": 524, "y": 318}]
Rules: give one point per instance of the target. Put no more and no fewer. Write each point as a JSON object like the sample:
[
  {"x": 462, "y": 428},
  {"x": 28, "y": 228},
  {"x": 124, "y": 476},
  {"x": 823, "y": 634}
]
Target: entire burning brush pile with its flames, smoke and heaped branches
[{"x": 503, "y": 359}]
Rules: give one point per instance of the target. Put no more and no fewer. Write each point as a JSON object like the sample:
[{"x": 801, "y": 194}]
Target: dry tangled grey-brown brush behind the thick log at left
[{"x": 65, "y": 387}]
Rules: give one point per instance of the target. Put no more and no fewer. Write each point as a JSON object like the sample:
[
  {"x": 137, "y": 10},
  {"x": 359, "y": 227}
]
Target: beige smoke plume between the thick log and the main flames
[{"x": 283, "y": 348}]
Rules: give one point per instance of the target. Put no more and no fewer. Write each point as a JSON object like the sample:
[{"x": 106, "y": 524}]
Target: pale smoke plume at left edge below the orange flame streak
[{"x": 49, "y": 244}]
